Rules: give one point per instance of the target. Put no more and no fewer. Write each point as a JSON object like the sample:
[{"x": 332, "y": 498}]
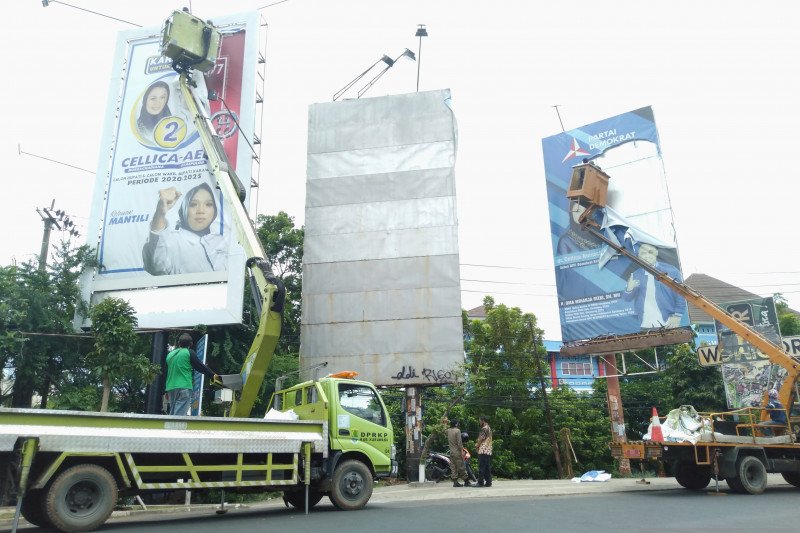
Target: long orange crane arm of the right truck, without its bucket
[{"x": 775, "y": 354}]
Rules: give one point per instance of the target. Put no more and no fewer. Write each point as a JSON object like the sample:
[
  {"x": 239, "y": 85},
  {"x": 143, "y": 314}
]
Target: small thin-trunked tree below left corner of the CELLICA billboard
[{"x": 114, "y": 357}]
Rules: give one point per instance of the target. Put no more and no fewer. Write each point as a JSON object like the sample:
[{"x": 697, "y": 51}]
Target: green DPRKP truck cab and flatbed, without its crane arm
[{"x": 69, "y": 468}]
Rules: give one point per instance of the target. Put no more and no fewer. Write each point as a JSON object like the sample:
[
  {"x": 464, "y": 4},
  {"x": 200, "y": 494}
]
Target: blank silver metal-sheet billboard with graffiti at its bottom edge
[{"x": 381, "y": 287}]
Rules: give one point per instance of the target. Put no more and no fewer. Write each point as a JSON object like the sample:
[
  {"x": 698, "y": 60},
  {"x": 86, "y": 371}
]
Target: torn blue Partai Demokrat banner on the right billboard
[{"x": 599, "y": 292}]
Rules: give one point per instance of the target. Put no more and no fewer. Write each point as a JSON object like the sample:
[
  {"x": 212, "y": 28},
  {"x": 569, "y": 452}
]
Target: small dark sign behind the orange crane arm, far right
[{"x": 746, "y": 372}]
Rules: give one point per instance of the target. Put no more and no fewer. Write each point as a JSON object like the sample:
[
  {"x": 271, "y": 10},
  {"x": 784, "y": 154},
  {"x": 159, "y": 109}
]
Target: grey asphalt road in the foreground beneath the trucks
[{"x": 664, "y": 510}]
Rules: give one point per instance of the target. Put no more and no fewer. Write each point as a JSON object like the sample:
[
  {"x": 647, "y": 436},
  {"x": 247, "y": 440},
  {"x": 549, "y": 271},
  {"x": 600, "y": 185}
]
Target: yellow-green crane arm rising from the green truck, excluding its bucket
[{"x": 268, "y": 291}]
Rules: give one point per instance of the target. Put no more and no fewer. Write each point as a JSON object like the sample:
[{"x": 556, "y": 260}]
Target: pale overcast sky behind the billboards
[{"x": 722, "y": 77}]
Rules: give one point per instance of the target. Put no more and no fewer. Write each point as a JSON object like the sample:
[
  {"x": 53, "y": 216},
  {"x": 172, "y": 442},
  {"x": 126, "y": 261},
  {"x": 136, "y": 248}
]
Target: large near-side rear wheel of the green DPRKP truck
[{"x": 81, "y": 498}]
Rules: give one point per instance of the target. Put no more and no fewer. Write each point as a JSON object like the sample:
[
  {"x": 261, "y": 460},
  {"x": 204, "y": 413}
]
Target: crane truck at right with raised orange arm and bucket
[{"x": 735, "y": 447}]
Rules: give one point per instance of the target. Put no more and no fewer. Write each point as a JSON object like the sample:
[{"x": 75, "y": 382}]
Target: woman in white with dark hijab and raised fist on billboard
[{"x": 190, "y": 246}]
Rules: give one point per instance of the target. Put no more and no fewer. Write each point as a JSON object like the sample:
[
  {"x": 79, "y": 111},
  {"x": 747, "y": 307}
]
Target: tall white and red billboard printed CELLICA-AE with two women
[{"x": 165, "y": 241}]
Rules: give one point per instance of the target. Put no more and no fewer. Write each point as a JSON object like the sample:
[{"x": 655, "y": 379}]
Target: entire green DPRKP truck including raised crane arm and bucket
[{"x": 67, "y": 469}]
